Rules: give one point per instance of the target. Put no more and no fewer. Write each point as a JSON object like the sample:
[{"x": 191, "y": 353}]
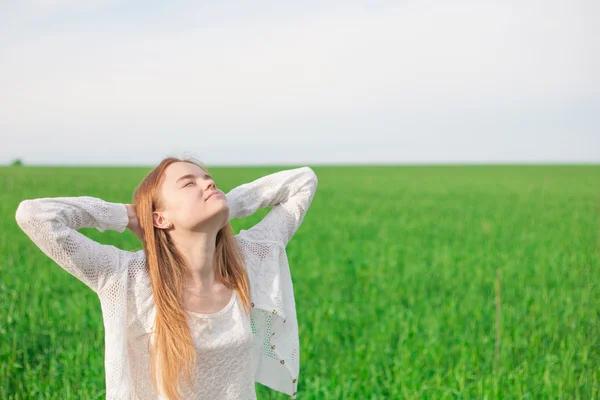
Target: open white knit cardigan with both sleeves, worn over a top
[{"x": 121, "y": 281}]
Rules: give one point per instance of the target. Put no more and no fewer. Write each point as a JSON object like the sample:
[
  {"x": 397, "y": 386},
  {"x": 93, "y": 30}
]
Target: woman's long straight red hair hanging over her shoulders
[{"x": 173, "y": 355}]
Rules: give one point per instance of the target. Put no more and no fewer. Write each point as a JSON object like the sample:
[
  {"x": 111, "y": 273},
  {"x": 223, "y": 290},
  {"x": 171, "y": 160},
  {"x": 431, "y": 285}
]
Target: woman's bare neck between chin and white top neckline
[{"x": 197, "y": 249}]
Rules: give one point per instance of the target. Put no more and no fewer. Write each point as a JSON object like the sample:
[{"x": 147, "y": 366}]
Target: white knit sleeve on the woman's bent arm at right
[{"x": 290, "y": 192}]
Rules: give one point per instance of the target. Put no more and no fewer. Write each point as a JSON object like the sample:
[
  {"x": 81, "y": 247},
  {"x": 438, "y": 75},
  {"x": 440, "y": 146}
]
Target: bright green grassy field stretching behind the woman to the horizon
[{"x": 395, "y": 272}]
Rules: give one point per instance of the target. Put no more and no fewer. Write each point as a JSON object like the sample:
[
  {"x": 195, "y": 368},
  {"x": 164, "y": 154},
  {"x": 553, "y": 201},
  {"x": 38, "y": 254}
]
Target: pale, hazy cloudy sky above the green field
[{"x": 300, "y": 83}]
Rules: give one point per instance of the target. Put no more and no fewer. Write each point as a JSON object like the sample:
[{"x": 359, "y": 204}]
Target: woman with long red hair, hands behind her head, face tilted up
[{"x": 200, "y": 312}]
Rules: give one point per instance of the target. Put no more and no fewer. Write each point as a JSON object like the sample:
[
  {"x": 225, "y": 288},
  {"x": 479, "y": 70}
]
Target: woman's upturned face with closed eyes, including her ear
[{"x": 184, "y": 192}]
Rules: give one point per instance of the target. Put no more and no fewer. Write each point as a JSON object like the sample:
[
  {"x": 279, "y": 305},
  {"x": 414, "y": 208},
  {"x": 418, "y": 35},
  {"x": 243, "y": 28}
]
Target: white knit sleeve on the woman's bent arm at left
[{"x": 52, "y": 223}]
